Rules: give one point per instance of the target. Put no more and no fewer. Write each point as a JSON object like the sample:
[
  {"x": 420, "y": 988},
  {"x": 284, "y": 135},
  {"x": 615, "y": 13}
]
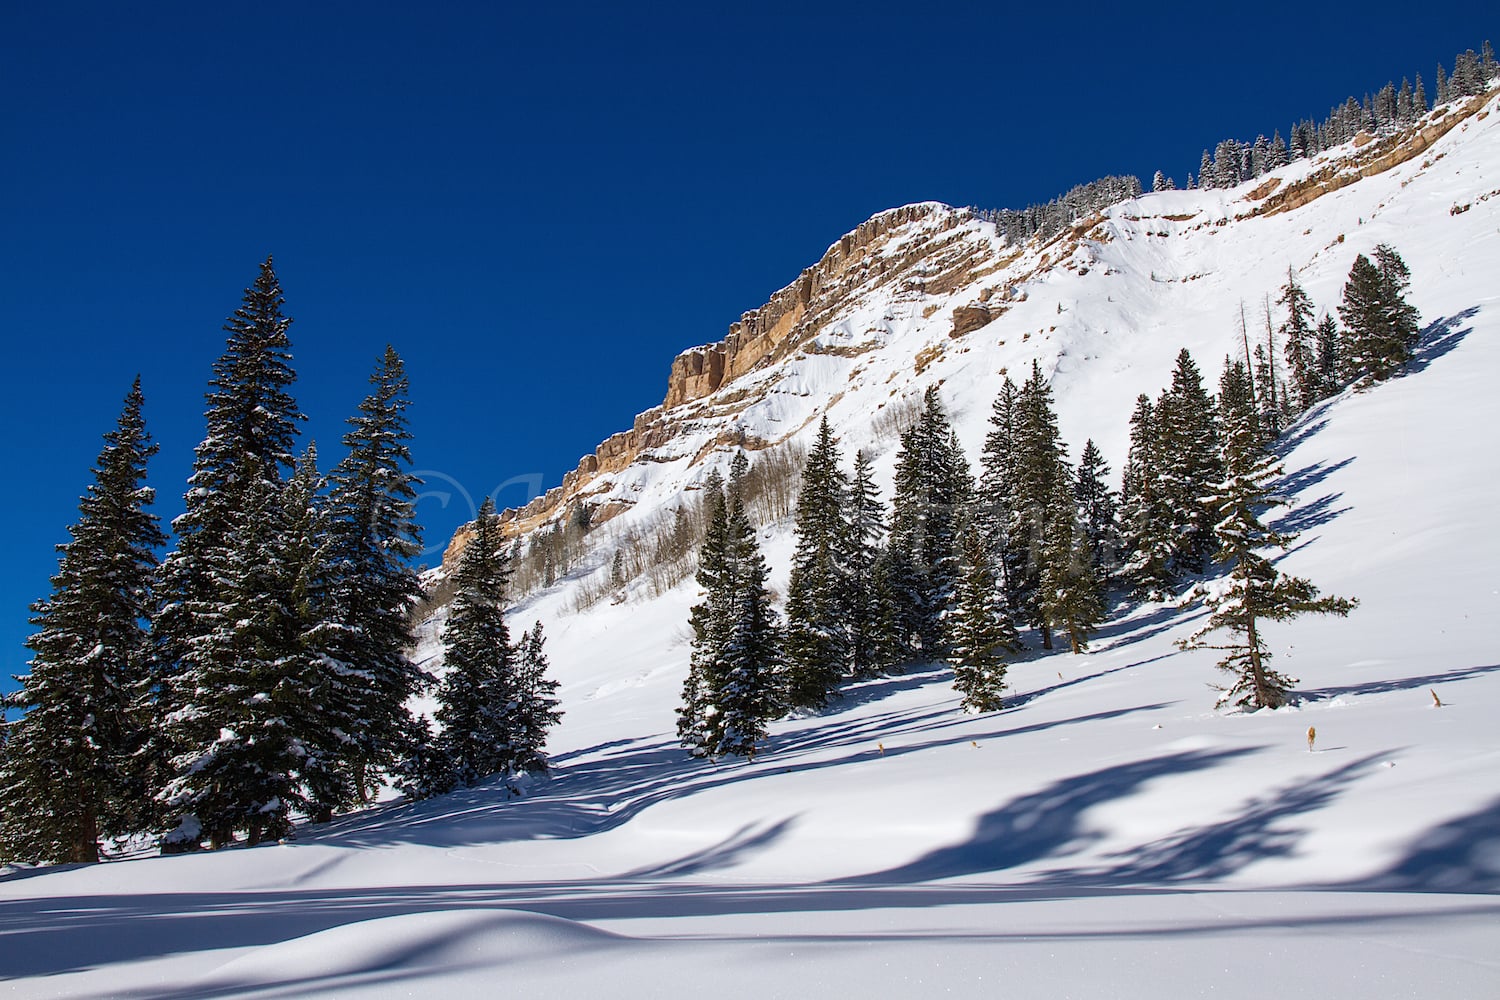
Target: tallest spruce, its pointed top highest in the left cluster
[{"x": 238, "y": 476}]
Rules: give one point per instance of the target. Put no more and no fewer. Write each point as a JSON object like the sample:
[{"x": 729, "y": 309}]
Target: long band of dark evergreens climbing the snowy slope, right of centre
[{"x": 962, "y": 563}]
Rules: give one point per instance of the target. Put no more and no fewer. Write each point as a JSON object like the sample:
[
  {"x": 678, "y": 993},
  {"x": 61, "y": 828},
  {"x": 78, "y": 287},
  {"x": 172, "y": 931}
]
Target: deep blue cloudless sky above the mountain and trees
[{"x": 541, "y": 205}]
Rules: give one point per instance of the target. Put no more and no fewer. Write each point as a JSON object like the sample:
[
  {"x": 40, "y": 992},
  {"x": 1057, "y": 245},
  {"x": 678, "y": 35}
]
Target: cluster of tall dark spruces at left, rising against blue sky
[{"x": 262, "y": 669}]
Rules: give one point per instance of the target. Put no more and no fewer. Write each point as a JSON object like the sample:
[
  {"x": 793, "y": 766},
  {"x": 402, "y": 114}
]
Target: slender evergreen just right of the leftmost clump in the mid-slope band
[{"x": 818, "y": 593}]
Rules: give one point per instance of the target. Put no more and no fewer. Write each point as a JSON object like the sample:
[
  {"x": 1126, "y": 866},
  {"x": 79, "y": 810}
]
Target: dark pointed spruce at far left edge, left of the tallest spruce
[{"x": 70, "y": 774}]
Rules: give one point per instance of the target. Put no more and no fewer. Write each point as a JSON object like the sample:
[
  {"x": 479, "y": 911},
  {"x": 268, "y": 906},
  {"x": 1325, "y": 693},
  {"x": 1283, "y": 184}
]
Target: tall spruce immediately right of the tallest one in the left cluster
[{"x": 374, "y": 536}]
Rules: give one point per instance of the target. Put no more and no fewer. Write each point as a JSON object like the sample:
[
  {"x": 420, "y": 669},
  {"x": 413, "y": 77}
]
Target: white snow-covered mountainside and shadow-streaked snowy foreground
[{"x": 1109, "y": 834}]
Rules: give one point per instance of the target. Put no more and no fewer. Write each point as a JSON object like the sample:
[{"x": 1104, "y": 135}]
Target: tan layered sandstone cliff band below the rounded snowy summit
[{"x": 928, "y": 248}]
